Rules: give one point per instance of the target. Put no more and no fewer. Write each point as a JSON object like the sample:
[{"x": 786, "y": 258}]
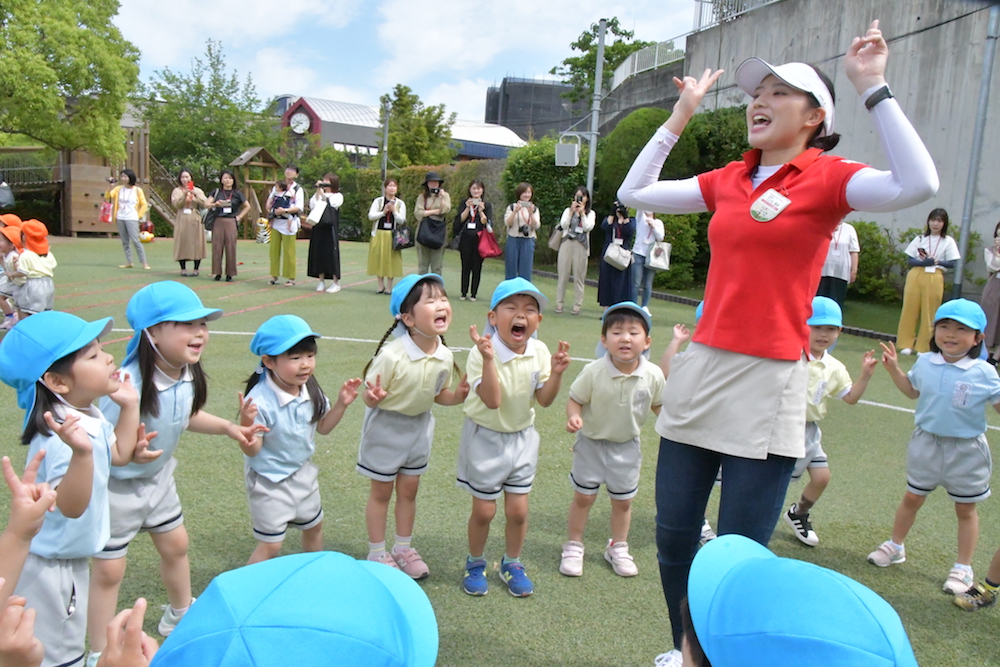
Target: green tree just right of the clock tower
[{"x": 418, "y": 134}]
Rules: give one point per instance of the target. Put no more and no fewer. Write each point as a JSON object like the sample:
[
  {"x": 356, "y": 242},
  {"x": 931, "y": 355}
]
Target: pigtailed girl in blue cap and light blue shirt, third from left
[{"x": 283, "y": 395}]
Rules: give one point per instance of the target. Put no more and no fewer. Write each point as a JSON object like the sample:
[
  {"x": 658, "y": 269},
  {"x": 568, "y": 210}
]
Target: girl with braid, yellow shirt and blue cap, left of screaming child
[{"x": 404, "y": 380}]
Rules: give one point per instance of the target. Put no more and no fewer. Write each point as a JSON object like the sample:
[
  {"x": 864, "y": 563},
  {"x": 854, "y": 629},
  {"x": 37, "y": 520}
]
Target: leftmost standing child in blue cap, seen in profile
[{"x": 55, "y": 362}]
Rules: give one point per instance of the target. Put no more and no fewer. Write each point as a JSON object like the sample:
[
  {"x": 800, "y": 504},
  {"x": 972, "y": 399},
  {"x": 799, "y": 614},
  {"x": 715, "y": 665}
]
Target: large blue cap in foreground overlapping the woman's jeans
[{"x": 748, "y": 609}]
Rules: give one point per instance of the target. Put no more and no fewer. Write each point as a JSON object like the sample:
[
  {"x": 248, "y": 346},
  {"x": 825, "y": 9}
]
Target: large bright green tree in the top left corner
[{"x": 65, "y": 73}]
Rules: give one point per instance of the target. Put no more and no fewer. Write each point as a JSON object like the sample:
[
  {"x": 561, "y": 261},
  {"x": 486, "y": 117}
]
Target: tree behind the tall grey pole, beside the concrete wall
[{"x": 579, "y": 70}]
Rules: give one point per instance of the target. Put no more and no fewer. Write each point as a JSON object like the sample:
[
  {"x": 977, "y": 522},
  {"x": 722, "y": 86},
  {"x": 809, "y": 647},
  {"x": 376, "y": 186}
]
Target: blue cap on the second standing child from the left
[{"x": 166, "y": 301}]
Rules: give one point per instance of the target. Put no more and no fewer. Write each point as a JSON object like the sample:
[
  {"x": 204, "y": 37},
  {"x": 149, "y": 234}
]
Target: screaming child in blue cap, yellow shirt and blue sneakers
[{"x": 509, "y": 370}]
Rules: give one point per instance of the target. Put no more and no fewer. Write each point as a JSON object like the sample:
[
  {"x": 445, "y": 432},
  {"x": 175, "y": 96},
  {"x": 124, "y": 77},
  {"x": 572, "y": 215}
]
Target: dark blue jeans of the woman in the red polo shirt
[{"x": 753, "y": 495}]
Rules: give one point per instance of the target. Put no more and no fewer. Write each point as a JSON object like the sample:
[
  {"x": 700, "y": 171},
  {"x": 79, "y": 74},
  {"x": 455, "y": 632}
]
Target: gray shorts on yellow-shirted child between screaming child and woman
[{"x": 614, "y": 464}]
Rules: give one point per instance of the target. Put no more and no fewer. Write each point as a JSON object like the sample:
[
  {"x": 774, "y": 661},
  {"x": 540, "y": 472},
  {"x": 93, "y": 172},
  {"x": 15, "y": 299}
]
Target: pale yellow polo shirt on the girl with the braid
[{"x": 411, "y": 377}]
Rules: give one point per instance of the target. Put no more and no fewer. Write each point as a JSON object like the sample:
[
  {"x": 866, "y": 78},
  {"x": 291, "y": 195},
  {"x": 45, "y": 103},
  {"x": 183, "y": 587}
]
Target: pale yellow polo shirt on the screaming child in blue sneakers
[{"x": 520, "y": 375}]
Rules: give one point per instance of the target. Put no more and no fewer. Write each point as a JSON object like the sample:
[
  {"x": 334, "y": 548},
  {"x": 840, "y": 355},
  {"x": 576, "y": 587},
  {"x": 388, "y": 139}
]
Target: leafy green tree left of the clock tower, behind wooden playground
[{"x": 204, "y": 119}]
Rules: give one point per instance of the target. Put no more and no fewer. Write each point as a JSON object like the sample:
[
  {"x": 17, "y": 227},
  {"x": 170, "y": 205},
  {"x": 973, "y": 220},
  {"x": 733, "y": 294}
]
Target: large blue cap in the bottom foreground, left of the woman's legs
[{"x": 306, "y": 609}]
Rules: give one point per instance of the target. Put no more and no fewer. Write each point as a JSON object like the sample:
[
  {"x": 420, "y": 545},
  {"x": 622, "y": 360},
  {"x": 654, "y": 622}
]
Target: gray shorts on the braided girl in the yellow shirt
[{"x": 393, "y": 443}]
